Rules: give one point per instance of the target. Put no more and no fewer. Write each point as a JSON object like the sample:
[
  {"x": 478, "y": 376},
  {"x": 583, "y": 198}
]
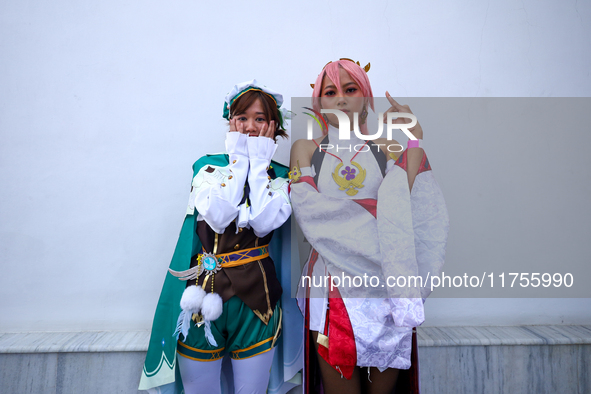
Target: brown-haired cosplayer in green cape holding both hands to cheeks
[{"x": 222, "y": 292}]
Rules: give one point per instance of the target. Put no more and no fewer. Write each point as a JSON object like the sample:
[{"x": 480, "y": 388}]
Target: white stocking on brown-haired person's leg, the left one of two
[{"x": 200, "y": 376}]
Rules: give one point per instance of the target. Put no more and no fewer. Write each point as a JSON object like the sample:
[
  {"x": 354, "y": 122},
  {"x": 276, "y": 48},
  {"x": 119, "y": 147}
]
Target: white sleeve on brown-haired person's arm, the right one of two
[{"x": 269, "y": 201}]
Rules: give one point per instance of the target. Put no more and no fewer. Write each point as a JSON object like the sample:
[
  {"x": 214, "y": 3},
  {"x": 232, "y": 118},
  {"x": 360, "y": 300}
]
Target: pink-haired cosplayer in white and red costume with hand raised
[{"x": 374, "y": 211}]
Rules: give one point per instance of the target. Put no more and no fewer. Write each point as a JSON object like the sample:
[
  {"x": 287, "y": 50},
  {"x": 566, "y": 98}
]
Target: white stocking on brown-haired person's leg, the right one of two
[{"x": 251, "y": 375}]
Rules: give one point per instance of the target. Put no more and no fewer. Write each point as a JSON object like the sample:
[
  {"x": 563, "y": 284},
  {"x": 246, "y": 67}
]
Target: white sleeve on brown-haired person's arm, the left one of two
[{"x": 217, "y": 191}]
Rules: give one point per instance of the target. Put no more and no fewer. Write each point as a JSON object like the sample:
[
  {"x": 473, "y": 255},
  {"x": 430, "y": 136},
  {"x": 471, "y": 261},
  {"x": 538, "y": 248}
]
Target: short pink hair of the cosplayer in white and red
[{"x": 331, "y": 71}]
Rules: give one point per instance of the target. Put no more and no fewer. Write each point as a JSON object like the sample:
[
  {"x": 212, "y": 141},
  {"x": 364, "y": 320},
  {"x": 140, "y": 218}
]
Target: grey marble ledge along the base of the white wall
[{"x": 523, "y": 359}]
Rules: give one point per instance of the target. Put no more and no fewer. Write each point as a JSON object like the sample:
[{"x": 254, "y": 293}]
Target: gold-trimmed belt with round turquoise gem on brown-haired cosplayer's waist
[{"x": 214, "y": 263}]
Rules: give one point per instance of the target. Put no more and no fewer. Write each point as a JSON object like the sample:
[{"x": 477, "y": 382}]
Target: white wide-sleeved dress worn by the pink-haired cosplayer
[{"x": 350, "y": 240}]
